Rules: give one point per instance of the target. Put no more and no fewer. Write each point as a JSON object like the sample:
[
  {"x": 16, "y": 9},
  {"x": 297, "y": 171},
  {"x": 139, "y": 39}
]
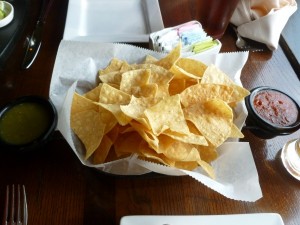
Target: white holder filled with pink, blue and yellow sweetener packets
[{"x": 193, "y": 38}]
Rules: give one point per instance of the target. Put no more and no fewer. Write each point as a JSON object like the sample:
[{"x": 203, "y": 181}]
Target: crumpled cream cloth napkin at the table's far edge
[{"x": 263, "y": 20}]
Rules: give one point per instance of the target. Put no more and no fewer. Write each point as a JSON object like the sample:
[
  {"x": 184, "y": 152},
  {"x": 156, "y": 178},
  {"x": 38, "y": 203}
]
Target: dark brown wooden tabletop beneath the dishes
[{"x": 60, "y": 190}]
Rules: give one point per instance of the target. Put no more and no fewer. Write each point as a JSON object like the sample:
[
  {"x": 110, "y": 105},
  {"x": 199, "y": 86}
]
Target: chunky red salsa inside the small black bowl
[{"x": 276, "y": 108}]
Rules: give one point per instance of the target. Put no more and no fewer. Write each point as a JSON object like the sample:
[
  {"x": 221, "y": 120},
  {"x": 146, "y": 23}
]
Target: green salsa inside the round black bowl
[{"x": 24, "y": 123}]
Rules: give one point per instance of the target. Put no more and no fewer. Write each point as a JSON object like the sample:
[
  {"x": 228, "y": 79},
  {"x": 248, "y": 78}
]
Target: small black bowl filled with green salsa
[{"x": 27, "y": 123}]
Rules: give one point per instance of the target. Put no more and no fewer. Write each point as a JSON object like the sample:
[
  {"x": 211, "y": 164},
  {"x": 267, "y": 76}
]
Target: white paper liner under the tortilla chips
[{"x": 76, "y": 68}]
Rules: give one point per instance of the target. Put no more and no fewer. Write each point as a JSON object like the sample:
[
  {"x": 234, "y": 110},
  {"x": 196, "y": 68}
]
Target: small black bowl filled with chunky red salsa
[{"x": 271, "y": 113}]
